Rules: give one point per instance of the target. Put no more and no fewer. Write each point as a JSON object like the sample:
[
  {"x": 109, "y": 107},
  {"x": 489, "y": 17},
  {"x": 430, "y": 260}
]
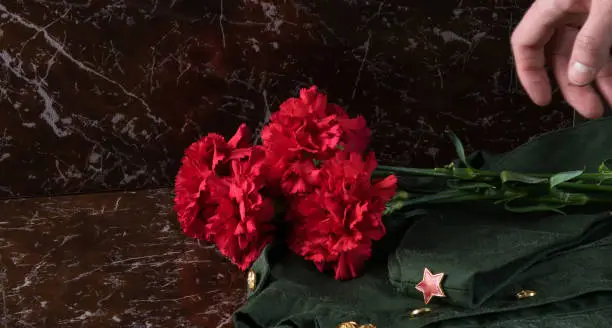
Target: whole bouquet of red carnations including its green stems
[{"x": 313, "y": 174}]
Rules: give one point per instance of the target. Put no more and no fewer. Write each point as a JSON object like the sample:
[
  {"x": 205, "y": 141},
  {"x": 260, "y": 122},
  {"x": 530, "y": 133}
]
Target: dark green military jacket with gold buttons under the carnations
[{"x": 501, "y": 269}]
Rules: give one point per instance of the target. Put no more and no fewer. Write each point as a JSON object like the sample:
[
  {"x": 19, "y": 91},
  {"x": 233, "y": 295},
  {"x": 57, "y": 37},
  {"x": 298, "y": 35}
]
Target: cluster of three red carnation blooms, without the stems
[{"x": 312, "y": 163}]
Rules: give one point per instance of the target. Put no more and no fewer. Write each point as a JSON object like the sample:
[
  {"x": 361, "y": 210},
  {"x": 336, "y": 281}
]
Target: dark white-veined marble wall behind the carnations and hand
[{"x": 105, "y": 94}]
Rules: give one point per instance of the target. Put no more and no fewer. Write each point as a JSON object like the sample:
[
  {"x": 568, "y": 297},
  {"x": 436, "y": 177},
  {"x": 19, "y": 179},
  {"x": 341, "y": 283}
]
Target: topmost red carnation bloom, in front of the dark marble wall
[{"x": 308, "y": 129}]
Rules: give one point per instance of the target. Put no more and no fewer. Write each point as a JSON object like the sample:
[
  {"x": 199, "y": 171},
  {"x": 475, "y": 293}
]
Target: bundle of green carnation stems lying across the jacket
[{"x": 525, "y": 189}]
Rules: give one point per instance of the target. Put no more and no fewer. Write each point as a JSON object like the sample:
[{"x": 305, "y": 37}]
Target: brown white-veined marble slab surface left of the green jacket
[{"x": 109, "y": 260}]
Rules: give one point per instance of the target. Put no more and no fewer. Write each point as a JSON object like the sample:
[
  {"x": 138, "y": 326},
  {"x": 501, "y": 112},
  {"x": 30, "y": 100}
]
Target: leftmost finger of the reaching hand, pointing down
[{"x": 528, "y": 42}]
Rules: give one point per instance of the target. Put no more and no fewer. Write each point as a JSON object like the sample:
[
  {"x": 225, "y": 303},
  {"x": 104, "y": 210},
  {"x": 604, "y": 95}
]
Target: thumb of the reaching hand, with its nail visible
[{"x": 592, "y": 46}]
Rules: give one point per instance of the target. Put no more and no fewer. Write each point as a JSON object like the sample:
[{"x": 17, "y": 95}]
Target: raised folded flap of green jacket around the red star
[{"x": 483, "y": 253}]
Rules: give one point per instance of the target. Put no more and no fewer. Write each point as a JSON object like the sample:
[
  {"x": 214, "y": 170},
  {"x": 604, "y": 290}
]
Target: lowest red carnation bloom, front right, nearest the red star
[{"x": 335, "y": 224}]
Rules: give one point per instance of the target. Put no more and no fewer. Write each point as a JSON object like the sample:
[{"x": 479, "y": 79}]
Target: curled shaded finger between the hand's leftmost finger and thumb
[{"x": 583, "y": 98}]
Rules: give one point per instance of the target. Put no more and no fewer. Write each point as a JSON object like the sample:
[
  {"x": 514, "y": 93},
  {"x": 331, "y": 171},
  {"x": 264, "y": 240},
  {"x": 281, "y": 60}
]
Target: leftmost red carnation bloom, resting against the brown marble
[{"x": 218, "y": 196}]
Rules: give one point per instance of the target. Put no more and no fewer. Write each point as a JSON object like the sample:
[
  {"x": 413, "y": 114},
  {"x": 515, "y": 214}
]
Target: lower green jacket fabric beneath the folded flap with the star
[{"x": 290, "y": 292}]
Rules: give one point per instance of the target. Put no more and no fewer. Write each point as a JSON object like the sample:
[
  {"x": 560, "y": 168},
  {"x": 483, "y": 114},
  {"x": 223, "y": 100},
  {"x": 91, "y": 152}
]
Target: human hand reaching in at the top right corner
[{"x": 573, "y": 37}]
